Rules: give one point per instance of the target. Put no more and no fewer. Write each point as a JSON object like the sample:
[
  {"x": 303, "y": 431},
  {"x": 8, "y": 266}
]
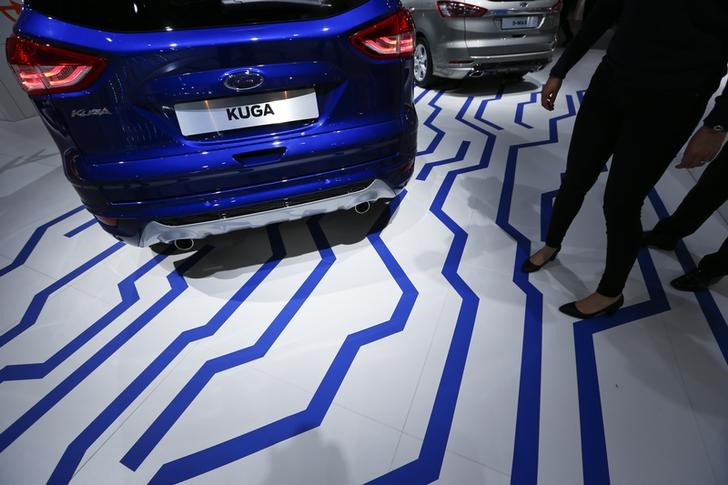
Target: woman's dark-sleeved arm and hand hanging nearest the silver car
[{"x": 603, "y": 16}]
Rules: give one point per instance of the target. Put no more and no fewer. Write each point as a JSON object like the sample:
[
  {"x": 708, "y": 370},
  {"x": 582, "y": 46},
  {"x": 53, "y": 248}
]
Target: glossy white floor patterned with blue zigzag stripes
[{"x": 410, "y": 356}]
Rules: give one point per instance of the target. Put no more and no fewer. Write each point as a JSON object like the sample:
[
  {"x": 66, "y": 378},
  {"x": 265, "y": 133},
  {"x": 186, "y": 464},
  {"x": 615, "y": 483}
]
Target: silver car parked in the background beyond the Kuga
[{"x": 457, "y": 40}]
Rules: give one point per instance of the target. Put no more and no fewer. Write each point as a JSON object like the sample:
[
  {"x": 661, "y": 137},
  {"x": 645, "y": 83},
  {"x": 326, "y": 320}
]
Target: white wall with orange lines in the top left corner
[{"x": 14, "y": 104}]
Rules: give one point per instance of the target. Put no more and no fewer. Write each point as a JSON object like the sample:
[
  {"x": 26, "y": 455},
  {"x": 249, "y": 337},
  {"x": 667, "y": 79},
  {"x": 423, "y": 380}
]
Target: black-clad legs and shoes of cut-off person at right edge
[{"x": 706, "y": 197}]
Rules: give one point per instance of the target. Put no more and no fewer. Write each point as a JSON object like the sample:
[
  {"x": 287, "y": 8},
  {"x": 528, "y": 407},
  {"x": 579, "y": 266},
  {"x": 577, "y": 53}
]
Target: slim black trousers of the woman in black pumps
[{"x": 642, "y": 127}]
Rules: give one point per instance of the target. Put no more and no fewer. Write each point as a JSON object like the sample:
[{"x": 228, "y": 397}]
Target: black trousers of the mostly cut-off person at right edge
[{"x": 704, "y": 198}]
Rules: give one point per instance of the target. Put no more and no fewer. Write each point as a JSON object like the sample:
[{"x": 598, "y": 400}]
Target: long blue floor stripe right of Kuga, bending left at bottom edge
[{"x": 426, "y": 467}]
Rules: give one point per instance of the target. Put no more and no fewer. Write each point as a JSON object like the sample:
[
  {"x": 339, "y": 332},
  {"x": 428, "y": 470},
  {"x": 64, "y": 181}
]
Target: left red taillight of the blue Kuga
[{"x": 44, "y": 69}]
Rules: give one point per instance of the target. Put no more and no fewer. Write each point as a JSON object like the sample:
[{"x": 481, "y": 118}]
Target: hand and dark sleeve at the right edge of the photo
[{"x": 705, "y": 144}]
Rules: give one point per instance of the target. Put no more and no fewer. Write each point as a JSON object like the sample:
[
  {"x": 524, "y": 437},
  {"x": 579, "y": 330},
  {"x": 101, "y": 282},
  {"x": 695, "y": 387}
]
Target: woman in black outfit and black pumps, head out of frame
[{"x": 642, "y": 104}]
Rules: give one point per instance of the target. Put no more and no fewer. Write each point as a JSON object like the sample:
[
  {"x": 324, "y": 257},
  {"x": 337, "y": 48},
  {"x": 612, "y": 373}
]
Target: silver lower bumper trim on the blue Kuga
[{"x": 155, "y": 232}]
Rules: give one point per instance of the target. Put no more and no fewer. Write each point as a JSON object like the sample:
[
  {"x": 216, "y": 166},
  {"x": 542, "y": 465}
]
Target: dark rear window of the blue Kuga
[{"x": 159, "y": 15}]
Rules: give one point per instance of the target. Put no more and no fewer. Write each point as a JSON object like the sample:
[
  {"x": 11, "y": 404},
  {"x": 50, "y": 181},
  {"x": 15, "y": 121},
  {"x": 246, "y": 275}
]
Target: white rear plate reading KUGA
[{"x": 224, "y": 114}]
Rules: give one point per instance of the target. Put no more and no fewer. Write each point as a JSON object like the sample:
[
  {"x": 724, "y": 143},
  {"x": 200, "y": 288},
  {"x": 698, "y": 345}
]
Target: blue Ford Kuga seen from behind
[{"x": 179, "y": 119}]
